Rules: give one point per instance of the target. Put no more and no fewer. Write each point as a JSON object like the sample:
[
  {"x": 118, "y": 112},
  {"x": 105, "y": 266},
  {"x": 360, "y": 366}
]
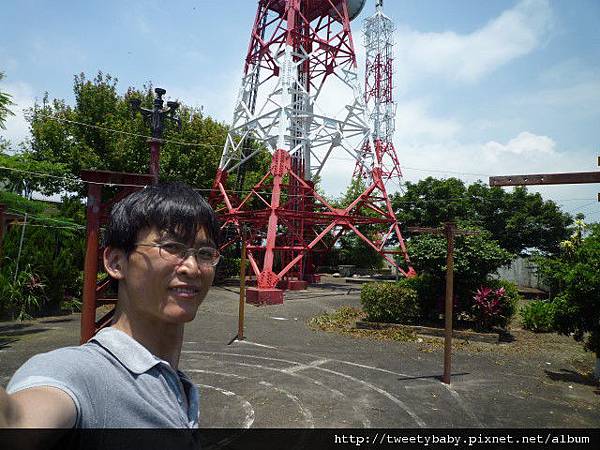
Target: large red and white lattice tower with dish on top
[{"x": 296, "y": 48}]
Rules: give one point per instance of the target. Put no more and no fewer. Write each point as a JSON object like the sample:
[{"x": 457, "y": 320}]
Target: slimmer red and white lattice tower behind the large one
[{"x": 379, "y": 42}]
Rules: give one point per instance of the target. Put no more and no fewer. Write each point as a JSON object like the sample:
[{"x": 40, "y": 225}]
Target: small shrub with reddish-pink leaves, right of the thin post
[{"x": 495, "y": 304}]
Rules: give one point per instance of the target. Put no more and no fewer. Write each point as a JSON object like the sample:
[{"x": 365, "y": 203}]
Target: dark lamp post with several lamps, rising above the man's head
[{"x": 156, "y": 118}]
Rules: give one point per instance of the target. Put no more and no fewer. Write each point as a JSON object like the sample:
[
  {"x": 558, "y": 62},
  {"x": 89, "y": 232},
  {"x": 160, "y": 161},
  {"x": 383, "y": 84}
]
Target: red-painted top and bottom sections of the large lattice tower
[{"x": 286, "y": 233}]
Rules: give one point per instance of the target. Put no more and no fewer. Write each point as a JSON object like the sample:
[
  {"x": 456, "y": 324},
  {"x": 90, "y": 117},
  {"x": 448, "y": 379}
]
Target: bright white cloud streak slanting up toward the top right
[{"x": 468, "y": 57}]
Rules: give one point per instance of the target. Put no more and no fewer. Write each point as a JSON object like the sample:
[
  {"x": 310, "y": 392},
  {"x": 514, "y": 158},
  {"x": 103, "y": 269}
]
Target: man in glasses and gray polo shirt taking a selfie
[{"x": 161, "y": 248}]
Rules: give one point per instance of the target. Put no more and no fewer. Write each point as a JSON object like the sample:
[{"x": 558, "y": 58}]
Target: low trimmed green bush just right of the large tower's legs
[{"x": 390, "y": 302}]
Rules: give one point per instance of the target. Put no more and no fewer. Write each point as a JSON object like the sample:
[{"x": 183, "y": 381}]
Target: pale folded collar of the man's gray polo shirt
[{"x": 133, "y": 355}]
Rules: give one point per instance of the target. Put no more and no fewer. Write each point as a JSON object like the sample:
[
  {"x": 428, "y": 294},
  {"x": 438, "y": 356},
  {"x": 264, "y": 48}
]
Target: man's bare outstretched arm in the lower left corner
[{"x": 37, "y": 407}]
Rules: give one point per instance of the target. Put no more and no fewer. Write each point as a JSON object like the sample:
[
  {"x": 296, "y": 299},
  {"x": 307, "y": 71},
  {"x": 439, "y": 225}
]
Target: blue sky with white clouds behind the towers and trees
[{"x": 482, "y": 87}]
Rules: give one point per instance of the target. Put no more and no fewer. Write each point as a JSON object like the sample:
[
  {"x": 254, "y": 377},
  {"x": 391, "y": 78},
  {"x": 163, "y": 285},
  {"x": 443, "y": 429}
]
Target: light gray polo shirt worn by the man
[{"x": 115, "y": 382}]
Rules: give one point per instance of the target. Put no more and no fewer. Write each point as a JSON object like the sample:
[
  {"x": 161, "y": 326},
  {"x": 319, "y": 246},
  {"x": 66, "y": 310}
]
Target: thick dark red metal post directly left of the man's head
[{"x": 88, "y": 313}]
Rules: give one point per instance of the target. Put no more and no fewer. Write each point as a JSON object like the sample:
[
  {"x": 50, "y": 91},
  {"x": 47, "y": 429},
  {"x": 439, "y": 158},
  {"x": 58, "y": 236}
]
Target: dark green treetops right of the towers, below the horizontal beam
[{"x": 518, "y": 220}]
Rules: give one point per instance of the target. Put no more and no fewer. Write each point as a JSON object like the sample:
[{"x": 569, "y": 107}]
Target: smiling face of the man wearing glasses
[{"x": 161, "y": 289}]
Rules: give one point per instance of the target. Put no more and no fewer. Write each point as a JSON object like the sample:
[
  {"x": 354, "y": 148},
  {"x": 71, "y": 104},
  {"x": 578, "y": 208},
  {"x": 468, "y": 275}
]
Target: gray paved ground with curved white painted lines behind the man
[{"x": 287, "y": 375}]
